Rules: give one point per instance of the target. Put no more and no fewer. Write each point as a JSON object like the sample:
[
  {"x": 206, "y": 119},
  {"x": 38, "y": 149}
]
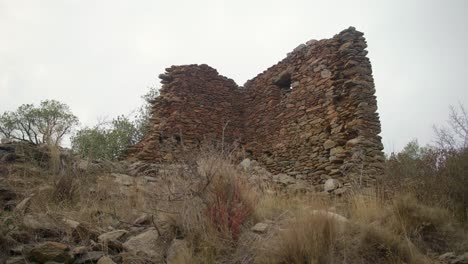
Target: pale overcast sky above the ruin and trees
[{"x": 100, "y": 56}]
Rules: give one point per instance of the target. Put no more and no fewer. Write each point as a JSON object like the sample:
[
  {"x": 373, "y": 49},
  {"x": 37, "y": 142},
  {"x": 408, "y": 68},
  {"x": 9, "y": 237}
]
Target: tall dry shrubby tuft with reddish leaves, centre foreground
[{"x": 214, "y": 213}]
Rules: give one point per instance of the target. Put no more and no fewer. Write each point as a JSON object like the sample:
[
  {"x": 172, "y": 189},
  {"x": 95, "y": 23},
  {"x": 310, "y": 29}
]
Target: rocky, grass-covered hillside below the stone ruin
[{"x": 213, "y": 208}]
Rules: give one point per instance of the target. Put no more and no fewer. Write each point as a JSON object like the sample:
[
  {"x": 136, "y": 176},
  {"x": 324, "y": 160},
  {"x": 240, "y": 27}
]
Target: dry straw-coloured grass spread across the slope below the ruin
[{"x": 212, "y": 205}]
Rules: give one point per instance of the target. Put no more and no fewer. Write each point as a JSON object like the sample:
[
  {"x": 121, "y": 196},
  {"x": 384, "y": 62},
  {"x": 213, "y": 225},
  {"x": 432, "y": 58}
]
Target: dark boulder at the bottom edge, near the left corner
[{"x": 50, "y": 251}]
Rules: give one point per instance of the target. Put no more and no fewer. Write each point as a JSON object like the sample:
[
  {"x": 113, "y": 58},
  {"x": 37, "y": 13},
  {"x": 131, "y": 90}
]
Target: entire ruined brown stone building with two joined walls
[{"x": 311, "y": 116}]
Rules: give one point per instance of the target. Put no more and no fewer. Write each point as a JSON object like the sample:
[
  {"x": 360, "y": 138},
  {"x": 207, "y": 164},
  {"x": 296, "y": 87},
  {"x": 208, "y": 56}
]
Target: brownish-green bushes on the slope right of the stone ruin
[{"x": 437, "y": 175}]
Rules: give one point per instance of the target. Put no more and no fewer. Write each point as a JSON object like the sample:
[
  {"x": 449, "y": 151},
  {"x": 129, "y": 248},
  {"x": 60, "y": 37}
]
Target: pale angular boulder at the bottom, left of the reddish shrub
[{"x": 144, "y": 243}]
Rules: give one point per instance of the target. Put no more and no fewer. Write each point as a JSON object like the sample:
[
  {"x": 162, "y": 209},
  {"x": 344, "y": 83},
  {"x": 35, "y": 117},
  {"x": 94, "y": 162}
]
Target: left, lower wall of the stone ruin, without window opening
[{"x": 194, "y": 106}]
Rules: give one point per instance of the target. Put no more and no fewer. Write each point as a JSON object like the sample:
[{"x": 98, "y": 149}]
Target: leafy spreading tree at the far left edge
[{"x": 48, "y": 123}]
